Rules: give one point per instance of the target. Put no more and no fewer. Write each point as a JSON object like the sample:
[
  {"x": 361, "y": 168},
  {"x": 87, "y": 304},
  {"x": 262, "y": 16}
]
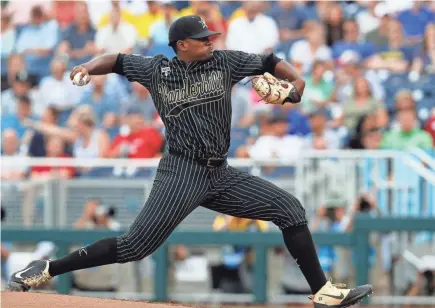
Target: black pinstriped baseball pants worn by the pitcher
[{"x": 181, "y": 185}]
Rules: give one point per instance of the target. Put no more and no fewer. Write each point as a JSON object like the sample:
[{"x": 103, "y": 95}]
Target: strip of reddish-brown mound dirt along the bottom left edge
[{"x": 41, "y": 300}]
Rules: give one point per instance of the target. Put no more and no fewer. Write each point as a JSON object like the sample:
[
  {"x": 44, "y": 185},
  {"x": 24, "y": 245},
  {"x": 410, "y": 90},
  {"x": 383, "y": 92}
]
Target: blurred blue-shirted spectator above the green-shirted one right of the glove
[{"x": 351, "y": 41}]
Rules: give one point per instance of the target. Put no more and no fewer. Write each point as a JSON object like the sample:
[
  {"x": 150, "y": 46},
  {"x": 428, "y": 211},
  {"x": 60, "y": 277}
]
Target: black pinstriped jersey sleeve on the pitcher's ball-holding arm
[{"x": 136, "y": 68}]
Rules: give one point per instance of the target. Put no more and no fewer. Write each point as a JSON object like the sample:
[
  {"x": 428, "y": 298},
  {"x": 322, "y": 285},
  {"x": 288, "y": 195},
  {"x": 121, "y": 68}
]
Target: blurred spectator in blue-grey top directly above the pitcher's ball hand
[{"x": 78, "y": 38}]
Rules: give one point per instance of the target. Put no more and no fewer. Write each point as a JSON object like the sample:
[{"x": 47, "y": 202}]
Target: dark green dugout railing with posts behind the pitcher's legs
[{"x": 358, "y": 240}]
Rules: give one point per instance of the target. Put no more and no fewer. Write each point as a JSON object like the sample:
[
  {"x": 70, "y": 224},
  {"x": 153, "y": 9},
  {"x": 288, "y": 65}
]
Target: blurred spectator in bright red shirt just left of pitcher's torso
[{"x": 141, "y": 141}]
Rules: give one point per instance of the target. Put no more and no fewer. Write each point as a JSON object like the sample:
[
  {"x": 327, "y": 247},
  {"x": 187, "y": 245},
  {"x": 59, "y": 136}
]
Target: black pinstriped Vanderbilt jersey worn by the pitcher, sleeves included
[{"x": 194, "y": 100}]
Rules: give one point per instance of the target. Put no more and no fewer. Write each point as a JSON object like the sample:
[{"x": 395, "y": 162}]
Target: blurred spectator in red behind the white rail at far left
[{"x": 55, "y": 149}]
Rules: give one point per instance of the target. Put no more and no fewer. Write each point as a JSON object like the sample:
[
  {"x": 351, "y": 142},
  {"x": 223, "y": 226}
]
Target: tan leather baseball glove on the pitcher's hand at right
[{"x": 275, "y": 91}]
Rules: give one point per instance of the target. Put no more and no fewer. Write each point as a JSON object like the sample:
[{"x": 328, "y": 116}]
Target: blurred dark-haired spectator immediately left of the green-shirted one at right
[{"x": 367, "y": 134}]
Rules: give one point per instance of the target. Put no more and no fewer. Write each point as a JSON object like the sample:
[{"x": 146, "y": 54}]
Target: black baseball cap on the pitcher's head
[{"x": 190, "y": 26}]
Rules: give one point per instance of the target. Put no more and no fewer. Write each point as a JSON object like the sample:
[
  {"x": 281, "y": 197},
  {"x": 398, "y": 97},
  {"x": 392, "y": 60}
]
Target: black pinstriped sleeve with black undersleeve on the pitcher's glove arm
[{"x": 242, "y": 64}]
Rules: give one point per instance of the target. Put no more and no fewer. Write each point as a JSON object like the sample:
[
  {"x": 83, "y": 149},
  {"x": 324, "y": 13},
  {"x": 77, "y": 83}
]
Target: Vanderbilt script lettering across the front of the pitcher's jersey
[{"x": 208, "y": 89}]
